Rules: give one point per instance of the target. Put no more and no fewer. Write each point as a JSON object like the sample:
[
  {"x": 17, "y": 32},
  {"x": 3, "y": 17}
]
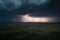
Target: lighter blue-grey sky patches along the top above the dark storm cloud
[{"x": 13, "y": 4}]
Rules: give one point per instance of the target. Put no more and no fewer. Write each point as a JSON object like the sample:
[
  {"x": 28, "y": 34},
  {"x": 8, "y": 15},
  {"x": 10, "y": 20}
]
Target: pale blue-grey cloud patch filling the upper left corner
[{"x": 9, "y": 4}]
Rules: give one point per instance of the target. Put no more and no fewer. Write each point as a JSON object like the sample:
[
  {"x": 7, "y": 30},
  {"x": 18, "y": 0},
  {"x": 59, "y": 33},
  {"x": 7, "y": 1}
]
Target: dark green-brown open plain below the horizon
[{"x": 30, "y": 31}]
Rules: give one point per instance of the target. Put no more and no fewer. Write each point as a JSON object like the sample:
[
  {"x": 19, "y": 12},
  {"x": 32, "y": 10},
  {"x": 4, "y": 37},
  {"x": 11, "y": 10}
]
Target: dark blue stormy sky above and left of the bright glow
[{"x": 10, "y": 8}]
